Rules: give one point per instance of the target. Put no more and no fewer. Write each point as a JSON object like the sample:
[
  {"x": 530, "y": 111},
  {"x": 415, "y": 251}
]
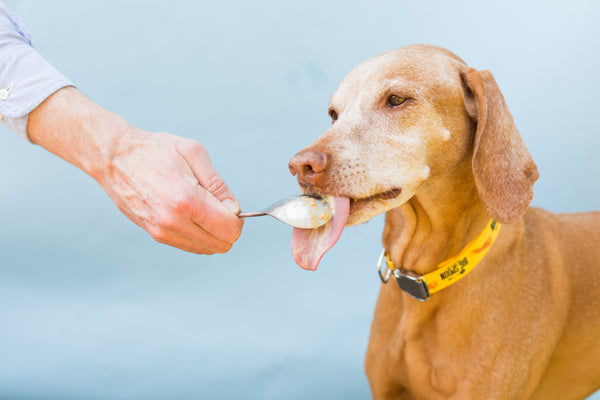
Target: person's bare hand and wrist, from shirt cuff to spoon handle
[{"x": 163, "y": 183}]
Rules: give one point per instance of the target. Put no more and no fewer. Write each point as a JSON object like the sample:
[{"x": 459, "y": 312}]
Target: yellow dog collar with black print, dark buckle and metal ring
[{"x": 421, "y": 287}]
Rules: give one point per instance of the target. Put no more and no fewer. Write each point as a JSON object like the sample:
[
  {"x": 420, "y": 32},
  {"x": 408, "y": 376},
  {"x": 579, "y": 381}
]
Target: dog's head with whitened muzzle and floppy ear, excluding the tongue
[{"x": 407, "y": 117}]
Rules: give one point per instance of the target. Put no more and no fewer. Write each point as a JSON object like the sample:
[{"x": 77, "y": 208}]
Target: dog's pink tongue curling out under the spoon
[{"x": 309, "y": 245}]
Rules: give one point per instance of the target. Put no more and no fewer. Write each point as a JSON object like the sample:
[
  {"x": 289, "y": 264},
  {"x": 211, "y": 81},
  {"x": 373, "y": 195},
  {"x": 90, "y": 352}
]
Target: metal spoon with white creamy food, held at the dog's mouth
[{"x": 305, "y": 212}]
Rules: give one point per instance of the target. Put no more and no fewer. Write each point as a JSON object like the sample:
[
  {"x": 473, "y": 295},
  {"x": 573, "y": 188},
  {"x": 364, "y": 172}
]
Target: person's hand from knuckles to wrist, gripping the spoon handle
[{"x": 168, "y": 186}]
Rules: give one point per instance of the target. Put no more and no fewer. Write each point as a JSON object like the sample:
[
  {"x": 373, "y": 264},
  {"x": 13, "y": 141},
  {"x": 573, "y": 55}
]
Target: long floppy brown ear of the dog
[{"x": 503, "y": 169}]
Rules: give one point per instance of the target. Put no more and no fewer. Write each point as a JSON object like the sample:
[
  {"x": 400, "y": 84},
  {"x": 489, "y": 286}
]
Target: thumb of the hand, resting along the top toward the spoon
[{"x": 198, "y": 159}]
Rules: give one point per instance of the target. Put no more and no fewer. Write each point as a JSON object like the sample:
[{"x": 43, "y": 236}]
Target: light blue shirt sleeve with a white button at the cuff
[{"x": 26, "y": 79}]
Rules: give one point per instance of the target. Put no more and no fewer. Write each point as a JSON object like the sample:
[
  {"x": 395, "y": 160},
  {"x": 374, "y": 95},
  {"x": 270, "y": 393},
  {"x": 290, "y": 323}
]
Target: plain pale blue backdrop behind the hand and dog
[{"x": 92, "y": 308}]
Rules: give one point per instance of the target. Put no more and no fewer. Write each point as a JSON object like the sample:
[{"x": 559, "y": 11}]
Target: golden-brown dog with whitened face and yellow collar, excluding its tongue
[{"x": 426, "y": 139}]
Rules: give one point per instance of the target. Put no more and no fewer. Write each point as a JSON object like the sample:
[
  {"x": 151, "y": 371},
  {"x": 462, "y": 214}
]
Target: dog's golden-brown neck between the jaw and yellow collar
[{"x": 436, "y": 224}]
